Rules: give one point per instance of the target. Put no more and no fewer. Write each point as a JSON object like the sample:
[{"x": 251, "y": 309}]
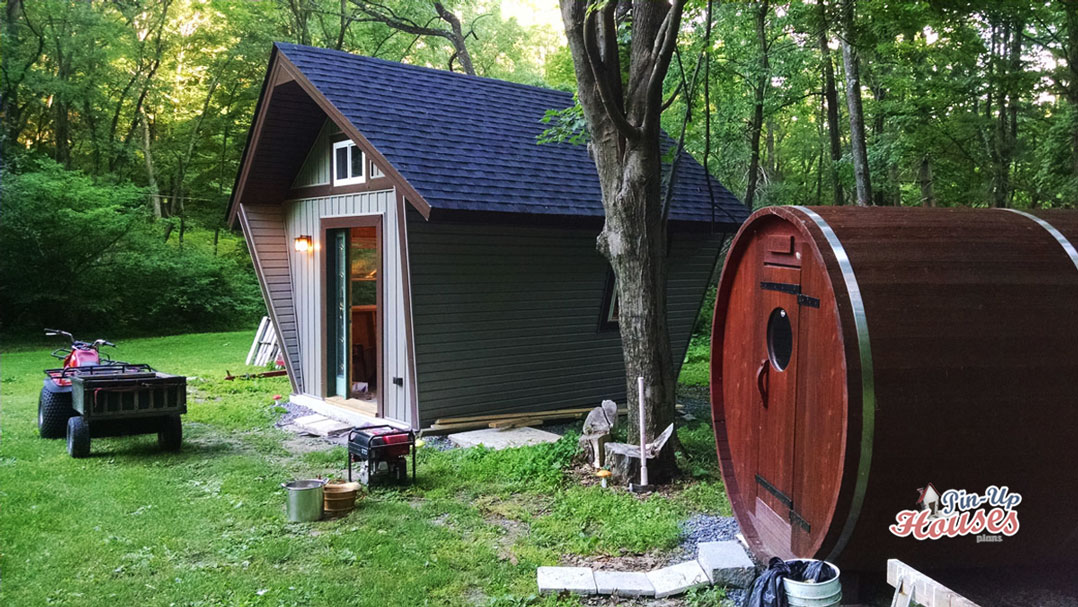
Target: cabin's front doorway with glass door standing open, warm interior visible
[{"x": 354, "y": 322}]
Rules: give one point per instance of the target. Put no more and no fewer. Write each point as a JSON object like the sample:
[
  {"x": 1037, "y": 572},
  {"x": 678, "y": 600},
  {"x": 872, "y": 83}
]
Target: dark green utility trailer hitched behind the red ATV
[{"x": 120, "y": 399}]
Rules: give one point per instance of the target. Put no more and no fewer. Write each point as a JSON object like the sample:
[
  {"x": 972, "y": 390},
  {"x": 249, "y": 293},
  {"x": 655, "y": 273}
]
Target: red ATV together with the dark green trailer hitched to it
[{"x": 91, "y": 397}]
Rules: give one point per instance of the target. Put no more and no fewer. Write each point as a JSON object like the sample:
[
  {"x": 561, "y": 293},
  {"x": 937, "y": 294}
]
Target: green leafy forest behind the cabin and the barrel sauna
[{"x": 123, "y": 123}]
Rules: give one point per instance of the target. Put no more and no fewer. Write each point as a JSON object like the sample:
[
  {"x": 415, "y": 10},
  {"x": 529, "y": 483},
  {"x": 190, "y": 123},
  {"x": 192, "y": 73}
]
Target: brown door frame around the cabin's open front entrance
[{"x": 328, "y": 224}]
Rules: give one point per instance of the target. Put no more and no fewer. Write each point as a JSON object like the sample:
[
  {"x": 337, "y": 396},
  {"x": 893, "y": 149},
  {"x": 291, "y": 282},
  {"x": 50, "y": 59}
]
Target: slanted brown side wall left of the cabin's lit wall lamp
[{"x": 265, "y": 230}]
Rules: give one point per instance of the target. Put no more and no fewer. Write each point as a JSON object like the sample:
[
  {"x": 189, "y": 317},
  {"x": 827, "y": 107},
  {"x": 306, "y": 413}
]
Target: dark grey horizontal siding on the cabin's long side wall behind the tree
[{"x": 507, "y": 319}]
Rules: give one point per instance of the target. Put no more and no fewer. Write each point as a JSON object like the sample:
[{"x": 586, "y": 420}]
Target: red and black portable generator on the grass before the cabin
[{"x": 382, "y": 453}]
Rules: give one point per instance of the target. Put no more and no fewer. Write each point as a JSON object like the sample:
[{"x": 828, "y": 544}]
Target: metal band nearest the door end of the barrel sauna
[{"x": 868, "y": 378}]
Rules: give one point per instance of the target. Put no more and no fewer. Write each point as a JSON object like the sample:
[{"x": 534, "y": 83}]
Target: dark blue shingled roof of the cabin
[{"x": 469, "y": 144}]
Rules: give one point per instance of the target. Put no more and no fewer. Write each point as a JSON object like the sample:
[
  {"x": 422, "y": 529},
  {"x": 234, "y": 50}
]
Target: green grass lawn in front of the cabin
[{"x": 132, "y": 526}]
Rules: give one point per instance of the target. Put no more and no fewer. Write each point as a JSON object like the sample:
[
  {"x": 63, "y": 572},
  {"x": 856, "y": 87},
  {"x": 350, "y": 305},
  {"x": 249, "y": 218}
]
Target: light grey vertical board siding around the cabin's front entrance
[{"x": 305, "y": 217}]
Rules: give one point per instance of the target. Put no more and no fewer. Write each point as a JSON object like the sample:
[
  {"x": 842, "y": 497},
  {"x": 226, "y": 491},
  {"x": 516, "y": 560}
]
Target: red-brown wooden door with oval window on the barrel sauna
[{"x": 777, "y": 382}]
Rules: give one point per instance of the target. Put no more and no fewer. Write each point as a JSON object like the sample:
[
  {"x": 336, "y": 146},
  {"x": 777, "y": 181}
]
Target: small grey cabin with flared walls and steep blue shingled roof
[{"x": 421, "y": 254}]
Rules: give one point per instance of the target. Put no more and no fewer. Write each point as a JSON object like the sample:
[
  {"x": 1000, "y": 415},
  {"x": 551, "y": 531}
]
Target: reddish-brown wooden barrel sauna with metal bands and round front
[{"x": 861, "y": 354}]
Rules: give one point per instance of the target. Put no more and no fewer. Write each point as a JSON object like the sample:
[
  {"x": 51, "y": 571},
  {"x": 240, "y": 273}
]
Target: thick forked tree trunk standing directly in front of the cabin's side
[{"x": 625, "y": 143}]
